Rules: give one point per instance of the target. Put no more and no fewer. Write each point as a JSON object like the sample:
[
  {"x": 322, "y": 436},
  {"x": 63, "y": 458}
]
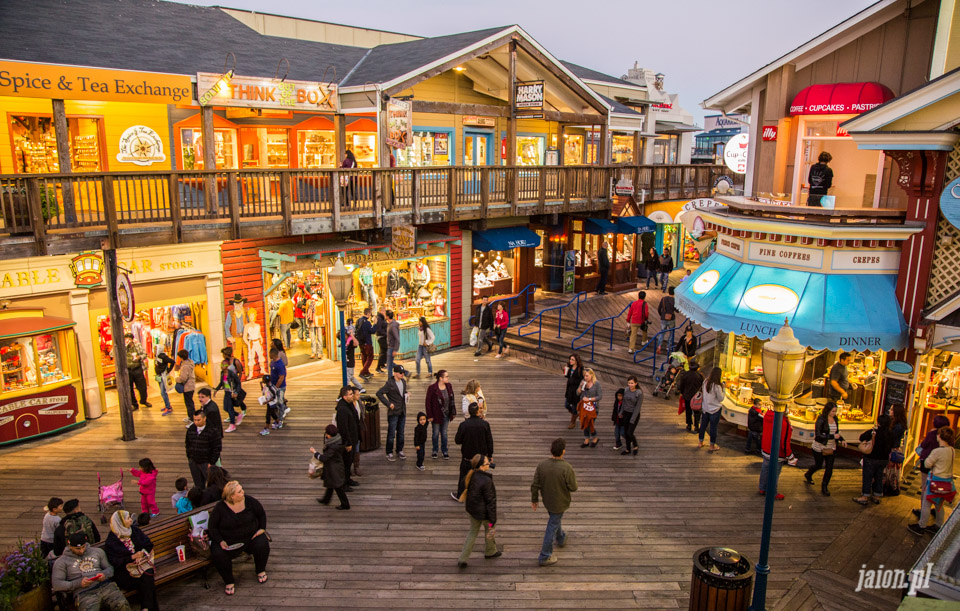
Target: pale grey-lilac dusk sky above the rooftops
[{"x": 701, "y": 46}]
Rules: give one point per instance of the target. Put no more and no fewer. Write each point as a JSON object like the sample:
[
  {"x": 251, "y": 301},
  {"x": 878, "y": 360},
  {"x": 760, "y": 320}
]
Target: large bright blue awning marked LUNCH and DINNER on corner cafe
[{"x": 833, "y": 311}]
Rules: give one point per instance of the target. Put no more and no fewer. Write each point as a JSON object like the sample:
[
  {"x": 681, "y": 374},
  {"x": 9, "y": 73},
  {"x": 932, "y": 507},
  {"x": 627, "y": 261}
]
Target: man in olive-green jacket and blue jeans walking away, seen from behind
[{"x": 554, "y": 480}]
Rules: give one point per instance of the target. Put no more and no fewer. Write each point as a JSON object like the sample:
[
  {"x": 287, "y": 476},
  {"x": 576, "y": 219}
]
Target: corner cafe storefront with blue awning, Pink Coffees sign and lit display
[{"x": 839, "y": 298}]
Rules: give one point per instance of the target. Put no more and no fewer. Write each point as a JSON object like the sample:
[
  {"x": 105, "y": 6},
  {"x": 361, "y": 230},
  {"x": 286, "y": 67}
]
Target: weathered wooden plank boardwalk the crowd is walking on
[{"x": 633, "y": 527}]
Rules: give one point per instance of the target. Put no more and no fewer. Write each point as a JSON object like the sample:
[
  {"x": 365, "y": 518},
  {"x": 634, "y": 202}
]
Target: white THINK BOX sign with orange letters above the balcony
[{"x": 257, "y": 92}]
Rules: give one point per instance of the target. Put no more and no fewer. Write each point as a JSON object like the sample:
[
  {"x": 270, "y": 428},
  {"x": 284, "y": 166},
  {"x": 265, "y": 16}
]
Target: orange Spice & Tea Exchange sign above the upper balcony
[{"x": 25, "y": 80}]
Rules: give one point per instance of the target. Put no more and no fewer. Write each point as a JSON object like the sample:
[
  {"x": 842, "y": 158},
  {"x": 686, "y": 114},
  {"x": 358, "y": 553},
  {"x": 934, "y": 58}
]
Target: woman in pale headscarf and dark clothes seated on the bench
[{"x": 131, "y": 554}]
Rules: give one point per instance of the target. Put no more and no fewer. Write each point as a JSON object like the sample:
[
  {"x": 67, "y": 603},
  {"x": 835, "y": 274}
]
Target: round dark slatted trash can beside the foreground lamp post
[{"x": 722, "y": 580}]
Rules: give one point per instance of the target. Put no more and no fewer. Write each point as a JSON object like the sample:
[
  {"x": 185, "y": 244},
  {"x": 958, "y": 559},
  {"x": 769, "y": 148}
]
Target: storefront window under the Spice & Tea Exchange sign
[{"x": 35, "y": 144}]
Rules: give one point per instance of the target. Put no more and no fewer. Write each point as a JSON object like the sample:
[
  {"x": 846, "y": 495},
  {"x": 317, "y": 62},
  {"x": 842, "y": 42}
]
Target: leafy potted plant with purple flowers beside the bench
[{"x": 25, "y": 579}]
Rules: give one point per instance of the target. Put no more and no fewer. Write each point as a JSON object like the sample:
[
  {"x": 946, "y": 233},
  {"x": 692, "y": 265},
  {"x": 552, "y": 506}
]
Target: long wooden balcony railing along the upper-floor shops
[{"x": 46, "y": 213}]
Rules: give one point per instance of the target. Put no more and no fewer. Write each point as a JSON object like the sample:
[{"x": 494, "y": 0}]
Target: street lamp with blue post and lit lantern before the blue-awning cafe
[{"x": 783, "y": 359}]
